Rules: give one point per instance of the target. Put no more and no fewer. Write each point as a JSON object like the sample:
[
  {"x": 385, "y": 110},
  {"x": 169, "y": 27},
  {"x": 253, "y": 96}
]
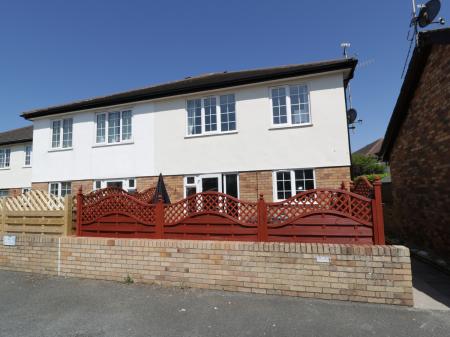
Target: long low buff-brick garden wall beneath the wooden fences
[{"x": 374, "y": 274}]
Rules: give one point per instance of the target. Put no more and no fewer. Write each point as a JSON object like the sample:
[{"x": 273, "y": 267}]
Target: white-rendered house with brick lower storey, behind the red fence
[{"x": 273, "y": 131}]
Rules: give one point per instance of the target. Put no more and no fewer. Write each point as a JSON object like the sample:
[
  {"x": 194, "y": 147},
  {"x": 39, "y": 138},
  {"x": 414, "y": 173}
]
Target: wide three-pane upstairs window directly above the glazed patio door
[{"x": 213, "y": 114}]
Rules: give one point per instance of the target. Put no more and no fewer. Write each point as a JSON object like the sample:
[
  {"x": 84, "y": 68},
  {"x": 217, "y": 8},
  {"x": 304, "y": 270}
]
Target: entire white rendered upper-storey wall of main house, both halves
[{"x": 160, "y": 144}]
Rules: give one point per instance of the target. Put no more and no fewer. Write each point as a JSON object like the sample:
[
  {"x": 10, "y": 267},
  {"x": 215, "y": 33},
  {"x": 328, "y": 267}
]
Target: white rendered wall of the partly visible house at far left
[{"x": 16, "y": 176}]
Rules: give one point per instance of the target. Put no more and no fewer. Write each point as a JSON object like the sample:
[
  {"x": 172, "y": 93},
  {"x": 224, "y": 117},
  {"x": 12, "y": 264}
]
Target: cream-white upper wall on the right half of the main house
[{"x": 256, "y": 146}]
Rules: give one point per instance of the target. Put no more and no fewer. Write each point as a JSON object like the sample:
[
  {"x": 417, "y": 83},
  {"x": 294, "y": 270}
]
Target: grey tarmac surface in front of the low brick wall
[{"x": 36, "y": 305}]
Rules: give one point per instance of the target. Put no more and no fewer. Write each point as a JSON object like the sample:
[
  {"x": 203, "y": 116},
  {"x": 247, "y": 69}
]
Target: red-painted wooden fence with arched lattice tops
[{"x": 319, "y": 215}]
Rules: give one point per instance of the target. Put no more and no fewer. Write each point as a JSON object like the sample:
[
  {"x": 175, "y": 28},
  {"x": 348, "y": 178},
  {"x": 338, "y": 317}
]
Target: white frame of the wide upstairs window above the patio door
[{"x": 218, "y": 116}]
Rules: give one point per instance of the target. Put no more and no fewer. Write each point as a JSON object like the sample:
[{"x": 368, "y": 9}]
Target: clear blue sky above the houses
[{"x": 54, "y": 52}]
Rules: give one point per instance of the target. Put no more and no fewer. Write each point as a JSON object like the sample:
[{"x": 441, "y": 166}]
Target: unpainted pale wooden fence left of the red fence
[{"x": 36, "y": 212}]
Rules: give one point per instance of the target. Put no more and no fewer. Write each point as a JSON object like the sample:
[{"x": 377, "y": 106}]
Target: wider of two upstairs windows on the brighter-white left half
[{"x": 113, "y": 127}]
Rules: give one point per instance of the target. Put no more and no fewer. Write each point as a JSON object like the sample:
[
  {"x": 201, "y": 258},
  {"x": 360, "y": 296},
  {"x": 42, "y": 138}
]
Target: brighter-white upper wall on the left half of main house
[{"x": 86, "y": 160}]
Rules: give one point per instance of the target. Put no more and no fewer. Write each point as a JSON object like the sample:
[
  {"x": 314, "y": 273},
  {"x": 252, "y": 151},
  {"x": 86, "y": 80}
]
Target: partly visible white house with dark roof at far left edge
[{"x": 15, "y": 161}]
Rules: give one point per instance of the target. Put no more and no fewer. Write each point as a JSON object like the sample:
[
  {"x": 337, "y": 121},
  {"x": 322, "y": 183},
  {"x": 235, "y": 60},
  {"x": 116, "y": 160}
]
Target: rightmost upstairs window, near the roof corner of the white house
[{"x": 290, "y": 105}]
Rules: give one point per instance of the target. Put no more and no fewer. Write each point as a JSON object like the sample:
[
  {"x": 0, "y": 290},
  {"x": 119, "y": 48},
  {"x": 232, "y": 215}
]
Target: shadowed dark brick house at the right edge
[{"x": 417, "y": 147}]
